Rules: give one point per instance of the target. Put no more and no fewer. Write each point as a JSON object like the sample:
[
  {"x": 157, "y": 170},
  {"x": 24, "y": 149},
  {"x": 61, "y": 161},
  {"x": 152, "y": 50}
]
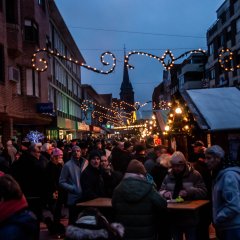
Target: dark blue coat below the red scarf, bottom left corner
[{"x": 21, "y": 225}]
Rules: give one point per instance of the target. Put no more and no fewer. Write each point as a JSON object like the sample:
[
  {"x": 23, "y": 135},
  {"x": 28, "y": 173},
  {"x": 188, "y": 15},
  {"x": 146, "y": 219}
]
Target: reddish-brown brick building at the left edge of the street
[{"x": 24, "y": 27}]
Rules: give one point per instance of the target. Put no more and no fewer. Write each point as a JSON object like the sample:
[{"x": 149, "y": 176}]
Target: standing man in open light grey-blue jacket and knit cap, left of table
[{"x": 70, "y": 181}]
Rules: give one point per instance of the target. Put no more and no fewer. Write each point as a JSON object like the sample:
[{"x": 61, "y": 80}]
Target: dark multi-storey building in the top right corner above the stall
[{"x": 222, "y": 35}]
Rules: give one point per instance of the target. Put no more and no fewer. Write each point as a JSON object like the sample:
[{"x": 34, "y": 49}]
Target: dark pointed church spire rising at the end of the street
[{"x": 126, "y": 93}]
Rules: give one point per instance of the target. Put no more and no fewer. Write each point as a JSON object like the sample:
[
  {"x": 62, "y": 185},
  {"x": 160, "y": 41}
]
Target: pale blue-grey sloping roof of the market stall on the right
[{"x": 220, "y": 107}]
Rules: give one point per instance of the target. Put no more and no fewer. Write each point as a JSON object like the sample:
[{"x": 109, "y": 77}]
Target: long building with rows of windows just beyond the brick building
[{"x": 65, "y": 80}]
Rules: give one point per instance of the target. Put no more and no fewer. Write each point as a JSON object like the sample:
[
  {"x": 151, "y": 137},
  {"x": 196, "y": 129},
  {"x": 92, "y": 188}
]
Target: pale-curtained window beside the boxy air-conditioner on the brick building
[{"x": 32, "y": 81}]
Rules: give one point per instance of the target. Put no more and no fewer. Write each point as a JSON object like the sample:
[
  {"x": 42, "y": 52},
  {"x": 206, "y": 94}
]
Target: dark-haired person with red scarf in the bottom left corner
[{"x": 16, "y": 221}]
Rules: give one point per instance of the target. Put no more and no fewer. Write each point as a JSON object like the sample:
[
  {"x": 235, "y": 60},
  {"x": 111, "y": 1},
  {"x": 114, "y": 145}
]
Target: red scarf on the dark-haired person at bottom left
[{"x": 8, "y": 208}]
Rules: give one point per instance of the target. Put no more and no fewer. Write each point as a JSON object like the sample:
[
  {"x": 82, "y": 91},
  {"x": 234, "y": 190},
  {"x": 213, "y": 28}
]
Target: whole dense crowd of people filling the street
[{"x": 139, "y": 178}]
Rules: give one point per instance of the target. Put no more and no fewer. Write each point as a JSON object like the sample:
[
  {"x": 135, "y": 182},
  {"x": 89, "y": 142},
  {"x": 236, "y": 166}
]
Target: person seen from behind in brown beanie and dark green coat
[{"x": 135, "y": 202}]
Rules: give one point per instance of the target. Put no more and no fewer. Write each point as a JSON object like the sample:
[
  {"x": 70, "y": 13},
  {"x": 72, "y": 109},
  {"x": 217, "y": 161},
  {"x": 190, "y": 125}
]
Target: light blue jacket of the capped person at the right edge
[{"x": 226, "y": 199}]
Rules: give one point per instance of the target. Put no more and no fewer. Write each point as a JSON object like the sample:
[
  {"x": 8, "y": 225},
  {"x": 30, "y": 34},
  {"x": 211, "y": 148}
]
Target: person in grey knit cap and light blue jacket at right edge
[{"x": 225, "y": 193}]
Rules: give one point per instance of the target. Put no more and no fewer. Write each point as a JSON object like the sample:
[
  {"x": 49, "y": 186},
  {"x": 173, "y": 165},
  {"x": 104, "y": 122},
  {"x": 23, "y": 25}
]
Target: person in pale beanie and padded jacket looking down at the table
[{"x": 185, "y": 182}]
